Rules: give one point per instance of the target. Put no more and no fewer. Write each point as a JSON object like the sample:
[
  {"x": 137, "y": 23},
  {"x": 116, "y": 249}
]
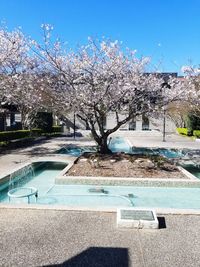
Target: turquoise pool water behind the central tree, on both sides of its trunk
[{"x": 119, "y": 144}]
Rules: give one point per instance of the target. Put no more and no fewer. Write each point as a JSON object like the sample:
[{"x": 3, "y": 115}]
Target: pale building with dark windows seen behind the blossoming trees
[{"x": 10, "y": 118}]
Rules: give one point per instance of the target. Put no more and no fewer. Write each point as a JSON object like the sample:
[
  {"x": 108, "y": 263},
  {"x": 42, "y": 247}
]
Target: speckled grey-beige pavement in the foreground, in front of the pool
[{"x": 73, "y": 238}]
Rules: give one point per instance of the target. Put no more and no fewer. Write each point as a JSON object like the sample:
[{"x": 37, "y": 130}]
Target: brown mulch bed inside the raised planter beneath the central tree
[{"x": 123, "y": 165}]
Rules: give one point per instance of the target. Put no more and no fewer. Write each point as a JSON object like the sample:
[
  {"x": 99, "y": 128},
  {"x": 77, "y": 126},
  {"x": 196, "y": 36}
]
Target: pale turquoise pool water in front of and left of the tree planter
[{"x": 100, "y": 197}]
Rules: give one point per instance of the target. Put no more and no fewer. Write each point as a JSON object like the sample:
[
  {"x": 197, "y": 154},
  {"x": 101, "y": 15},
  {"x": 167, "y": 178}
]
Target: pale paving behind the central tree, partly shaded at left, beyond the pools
[{"x": 11, "y": 159}]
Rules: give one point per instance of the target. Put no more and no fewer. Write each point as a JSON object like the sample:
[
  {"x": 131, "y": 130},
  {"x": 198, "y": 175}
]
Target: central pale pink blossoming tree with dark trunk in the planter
[{"x": 100, "y": 78}]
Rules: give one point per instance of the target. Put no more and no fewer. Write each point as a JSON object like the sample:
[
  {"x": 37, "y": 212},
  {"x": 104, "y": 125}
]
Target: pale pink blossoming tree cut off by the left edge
[{"x": 22, "y": 81}]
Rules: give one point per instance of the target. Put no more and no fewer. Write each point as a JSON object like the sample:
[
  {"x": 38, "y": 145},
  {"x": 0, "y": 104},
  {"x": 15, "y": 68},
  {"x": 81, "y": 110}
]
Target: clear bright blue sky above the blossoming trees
[{"x": 166, "y": 30}]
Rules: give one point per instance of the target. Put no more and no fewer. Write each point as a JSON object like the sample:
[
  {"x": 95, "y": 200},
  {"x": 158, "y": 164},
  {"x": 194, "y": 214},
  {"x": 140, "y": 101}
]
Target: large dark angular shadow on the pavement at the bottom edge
[{"x": 98, "y": 256}]
